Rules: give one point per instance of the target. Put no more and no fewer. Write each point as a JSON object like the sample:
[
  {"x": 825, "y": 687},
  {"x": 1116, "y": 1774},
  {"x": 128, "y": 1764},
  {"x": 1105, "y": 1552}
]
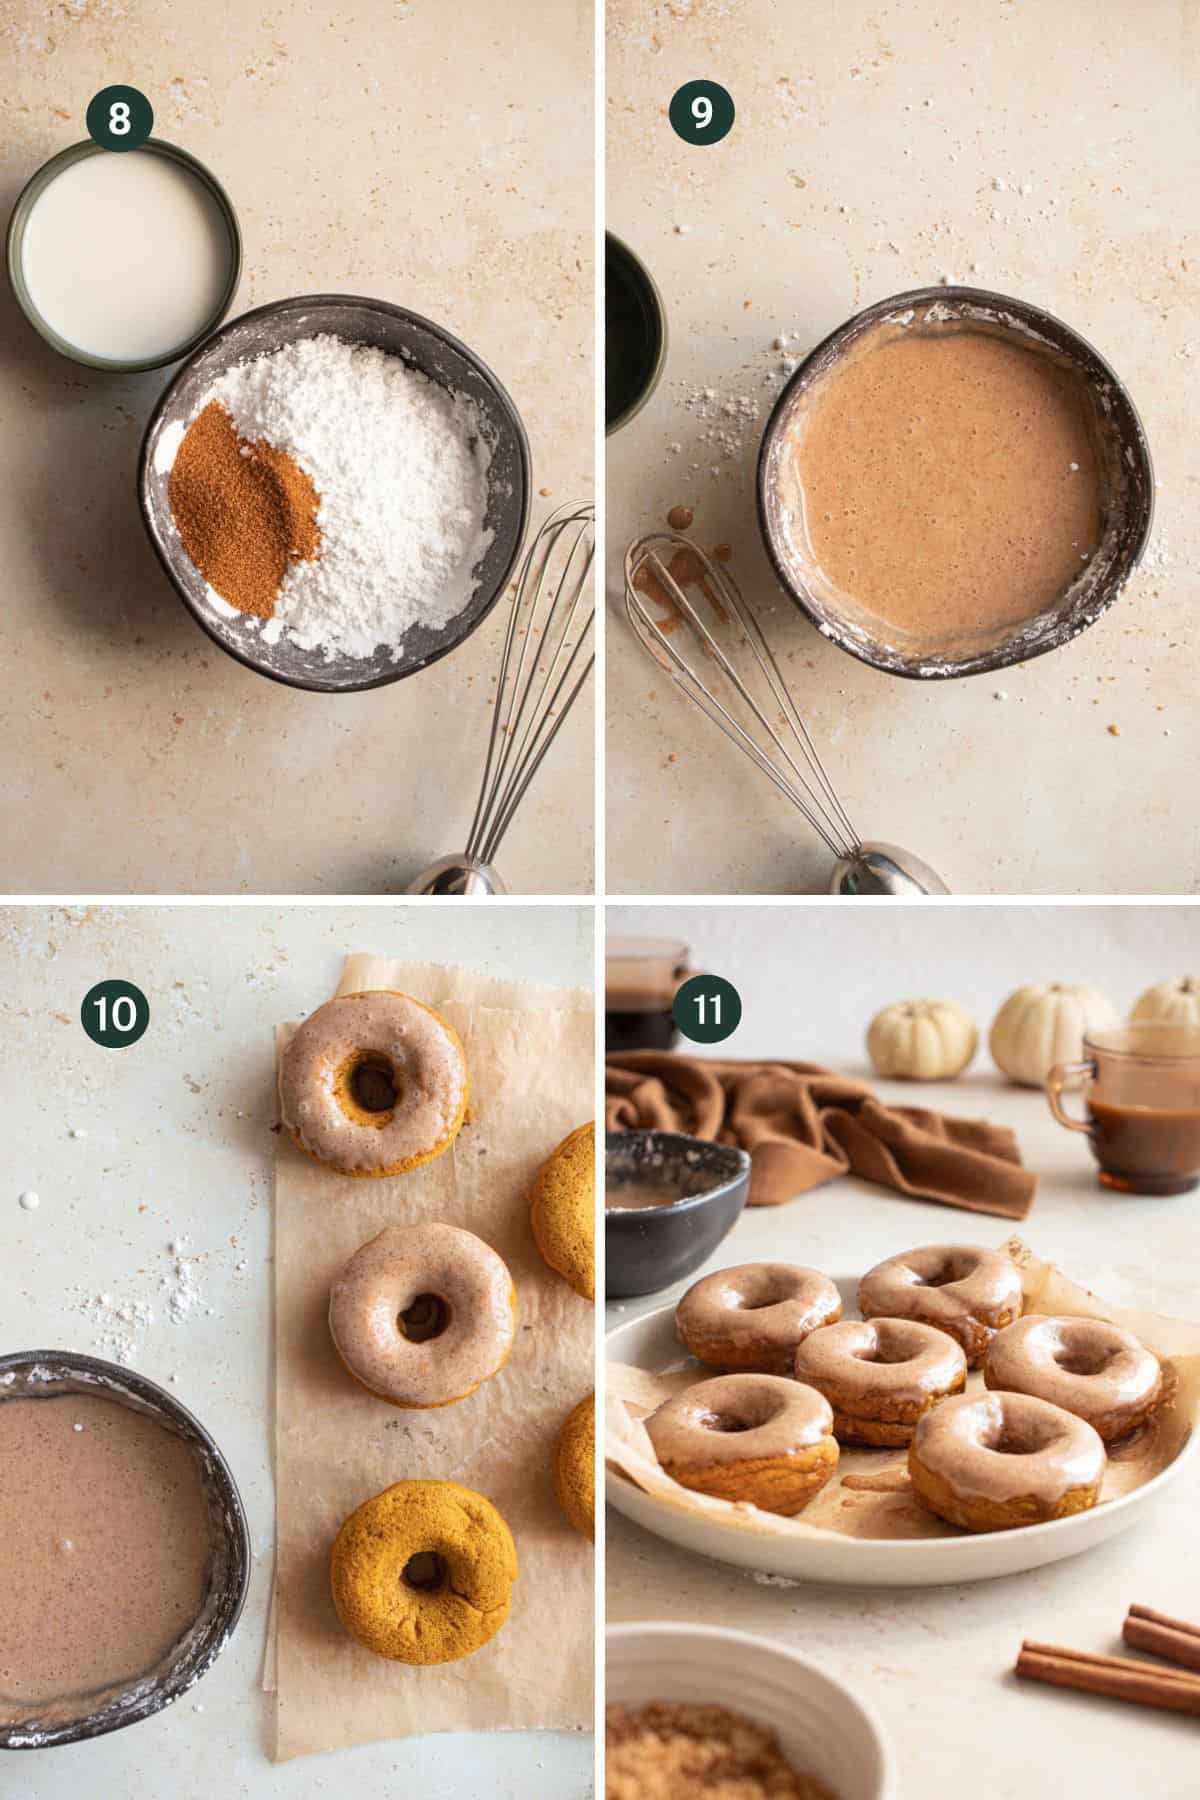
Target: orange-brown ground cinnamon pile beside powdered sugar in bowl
[{"x": 244, "y": 512}]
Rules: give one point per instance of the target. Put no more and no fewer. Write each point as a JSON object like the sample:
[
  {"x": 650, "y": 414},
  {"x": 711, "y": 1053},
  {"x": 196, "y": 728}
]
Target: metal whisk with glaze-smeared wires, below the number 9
[{"x": 764, "y": 721}]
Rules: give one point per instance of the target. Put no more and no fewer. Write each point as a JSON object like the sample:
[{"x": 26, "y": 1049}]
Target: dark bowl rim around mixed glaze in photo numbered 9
[{"x": 1124, "y": 458}]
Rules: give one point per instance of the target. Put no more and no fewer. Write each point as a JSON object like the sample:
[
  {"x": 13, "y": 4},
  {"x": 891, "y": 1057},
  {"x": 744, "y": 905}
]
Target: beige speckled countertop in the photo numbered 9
[{"x": 1034, "y": 147}]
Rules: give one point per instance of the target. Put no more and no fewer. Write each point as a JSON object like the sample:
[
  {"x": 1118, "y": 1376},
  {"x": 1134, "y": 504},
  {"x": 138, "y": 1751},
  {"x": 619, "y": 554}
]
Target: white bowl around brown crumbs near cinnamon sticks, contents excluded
[{"x": 821, "y": 1725}]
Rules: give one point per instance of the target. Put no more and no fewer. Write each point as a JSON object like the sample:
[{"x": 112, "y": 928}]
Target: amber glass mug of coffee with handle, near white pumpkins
[{"x": 1142, "y": 1090}]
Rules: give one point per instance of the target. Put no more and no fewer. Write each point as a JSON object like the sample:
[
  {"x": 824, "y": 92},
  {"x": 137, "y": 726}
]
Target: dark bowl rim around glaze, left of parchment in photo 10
[{"x": 44, "y": 1372}]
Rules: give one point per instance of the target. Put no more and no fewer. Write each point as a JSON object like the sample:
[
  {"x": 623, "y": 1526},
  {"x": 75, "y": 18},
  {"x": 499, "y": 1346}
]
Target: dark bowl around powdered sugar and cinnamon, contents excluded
[{"x": 424, "y": 346}]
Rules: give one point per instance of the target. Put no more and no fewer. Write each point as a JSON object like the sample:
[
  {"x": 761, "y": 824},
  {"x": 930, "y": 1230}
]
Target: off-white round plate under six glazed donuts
[{"x": 650, "y": 1344}]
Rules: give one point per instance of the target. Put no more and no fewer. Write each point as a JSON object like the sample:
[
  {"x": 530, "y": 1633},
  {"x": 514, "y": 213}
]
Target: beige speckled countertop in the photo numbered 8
[{"x": 433, "y": 156}]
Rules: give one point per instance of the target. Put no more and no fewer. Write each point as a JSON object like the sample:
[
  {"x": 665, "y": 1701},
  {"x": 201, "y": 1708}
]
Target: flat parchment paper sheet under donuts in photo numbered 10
[{"x": 530, "y": 1057}]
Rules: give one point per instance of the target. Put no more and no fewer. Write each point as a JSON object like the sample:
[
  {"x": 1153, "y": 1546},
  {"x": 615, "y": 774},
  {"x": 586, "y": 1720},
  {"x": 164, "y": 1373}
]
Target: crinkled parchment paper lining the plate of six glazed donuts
[{"x": 890, "y": 1507}]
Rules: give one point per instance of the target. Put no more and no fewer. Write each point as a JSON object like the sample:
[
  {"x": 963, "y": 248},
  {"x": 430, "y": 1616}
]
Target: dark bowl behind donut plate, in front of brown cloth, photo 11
[{"x": 649, "y": 1248}]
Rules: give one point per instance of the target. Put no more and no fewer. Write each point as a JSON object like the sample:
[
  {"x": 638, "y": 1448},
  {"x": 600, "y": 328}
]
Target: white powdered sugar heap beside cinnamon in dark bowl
[{"x": 402, "y": 472}]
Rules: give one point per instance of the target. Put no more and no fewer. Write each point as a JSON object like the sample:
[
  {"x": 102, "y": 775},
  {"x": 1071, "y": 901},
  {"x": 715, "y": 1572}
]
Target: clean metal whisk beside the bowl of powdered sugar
[{"x": 542, "y": 670}]
